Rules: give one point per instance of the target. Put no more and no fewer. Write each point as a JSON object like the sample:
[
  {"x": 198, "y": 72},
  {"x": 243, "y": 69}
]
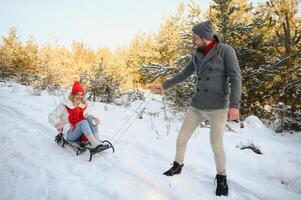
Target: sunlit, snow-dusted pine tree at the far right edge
[{"x": 284, "y": 45}]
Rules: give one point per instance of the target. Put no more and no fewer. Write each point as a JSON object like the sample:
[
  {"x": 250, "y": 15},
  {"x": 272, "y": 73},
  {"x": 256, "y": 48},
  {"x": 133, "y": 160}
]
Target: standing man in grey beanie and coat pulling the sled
[{"x": 214, "y": 97}]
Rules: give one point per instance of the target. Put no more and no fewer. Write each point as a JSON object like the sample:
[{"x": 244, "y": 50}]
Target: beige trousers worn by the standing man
[{"x": 217, "y": 119}]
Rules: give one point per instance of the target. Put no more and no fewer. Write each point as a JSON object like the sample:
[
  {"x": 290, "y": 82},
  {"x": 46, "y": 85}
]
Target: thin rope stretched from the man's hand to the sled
[{"x": 129, "y": 121}]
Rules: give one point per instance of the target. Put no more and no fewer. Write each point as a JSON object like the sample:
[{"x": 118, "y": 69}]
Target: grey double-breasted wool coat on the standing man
[{"x": 218, "y": 84}]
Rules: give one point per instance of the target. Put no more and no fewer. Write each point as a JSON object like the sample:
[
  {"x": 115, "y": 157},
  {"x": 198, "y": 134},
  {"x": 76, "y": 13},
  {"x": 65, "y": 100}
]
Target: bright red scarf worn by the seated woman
[{"x": 76, "y": 115}]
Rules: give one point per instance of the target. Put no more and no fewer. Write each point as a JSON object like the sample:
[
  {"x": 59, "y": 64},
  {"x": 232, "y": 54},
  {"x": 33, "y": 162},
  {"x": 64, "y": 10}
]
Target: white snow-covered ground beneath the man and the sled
[{"x": 33, "y": 166}]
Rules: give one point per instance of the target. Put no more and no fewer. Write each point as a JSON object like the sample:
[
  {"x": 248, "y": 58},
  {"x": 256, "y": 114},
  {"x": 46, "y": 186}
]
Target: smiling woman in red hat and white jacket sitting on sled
[{"x": 72, "y": 119}]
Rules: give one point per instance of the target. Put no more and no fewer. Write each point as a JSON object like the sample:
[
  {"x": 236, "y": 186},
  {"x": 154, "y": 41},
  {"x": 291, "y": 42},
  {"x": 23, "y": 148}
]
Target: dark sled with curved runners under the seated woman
[{"x": 81, "y": 147}]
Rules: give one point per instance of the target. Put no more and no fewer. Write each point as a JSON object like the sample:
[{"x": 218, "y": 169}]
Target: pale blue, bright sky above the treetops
[{"x": 97, "y": 23}]
